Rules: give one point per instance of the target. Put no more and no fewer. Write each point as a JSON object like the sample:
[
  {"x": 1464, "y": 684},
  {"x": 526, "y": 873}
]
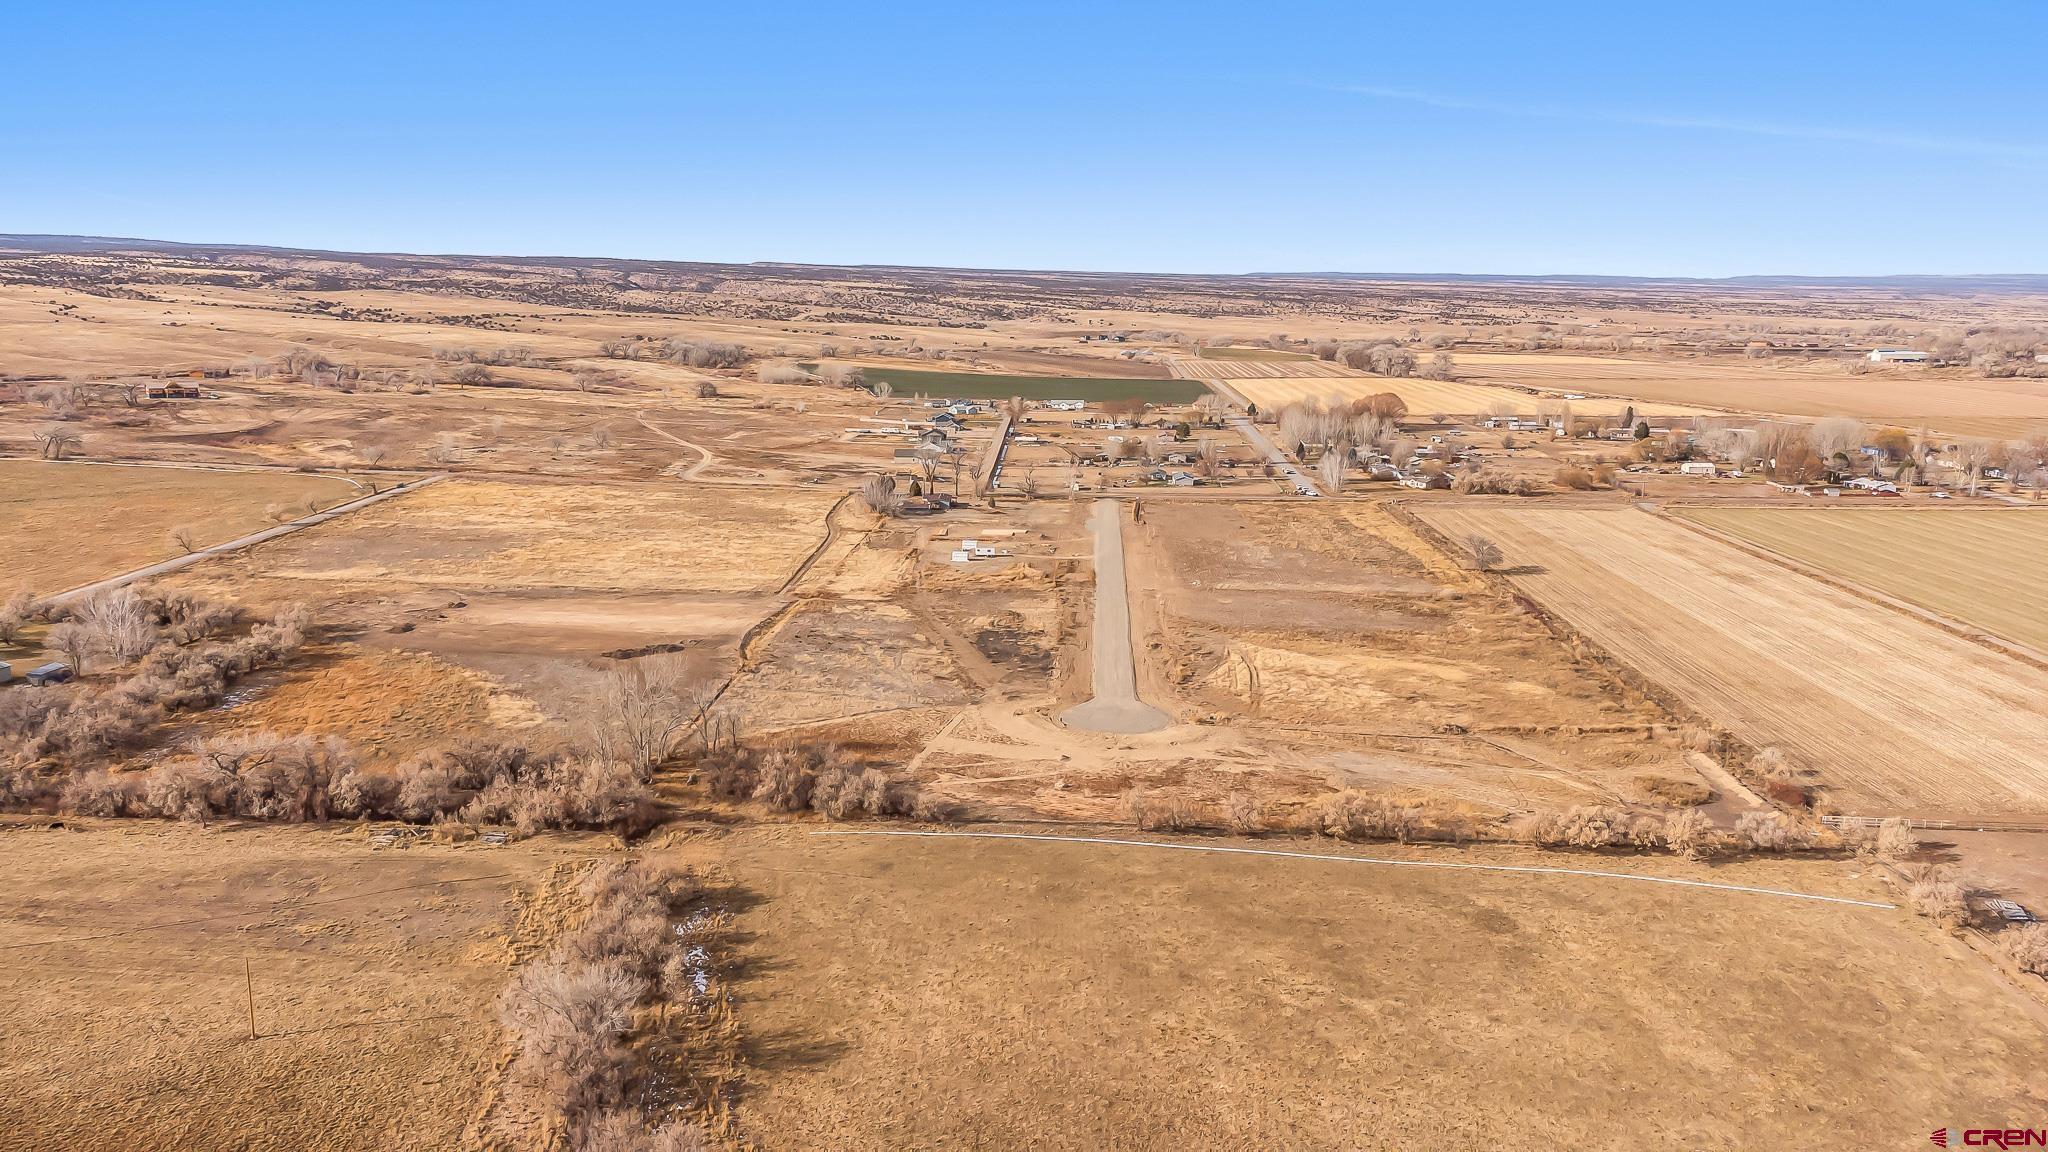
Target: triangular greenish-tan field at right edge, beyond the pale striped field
[{"x": 1977, "y": 567}]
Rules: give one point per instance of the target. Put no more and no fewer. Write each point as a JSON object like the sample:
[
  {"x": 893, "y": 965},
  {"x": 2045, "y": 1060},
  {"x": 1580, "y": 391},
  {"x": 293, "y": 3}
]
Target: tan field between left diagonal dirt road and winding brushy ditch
[{"x": 534, "y": 581}]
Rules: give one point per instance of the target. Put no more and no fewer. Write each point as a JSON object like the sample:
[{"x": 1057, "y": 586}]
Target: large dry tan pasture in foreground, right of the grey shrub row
[{"x": 953, "y": 993}]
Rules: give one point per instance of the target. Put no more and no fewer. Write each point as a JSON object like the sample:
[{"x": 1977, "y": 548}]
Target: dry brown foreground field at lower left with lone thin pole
[{"x": 124, "y": 1012}]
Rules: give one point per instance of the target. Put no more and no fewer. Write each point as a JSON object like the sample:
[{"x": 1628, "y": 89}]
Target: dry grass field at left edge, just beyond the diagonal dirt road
[{"x": 71, "y": 524}]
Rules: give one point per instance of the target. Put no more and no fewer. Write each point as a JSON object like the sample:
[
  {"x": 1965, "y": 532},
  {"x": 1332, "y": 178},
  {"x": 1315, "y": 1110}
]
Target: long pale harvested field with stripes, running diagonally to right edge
[{"x": 1895, "y": 714}]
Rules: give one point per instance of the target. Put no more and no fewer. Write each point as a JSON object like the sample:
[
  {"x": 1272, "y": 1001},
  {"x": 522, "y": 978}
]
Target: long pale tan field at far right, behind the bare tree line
[{"x": 1908, "y": 399}]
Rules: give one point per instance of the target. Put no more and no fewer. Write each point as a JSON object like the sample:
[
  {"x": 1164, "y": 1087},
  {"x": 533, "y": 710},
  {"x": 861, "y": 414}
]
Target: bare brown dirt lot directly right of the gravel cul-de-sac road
[{"x": 1383, "y": 665}]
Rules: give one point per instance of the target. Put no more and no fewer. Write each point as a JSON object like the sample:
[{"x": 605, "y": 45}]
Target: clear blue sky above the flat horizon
[{"x": 1422, "y": 138}]
